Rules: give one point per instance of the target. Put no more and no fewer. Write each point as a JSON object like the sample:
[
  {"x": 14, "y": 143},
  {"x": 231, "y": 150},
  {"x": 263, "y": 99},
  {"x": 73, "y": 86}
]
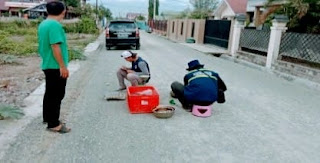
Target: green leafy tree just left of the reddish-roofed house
[{"x": 202, "y": 8}]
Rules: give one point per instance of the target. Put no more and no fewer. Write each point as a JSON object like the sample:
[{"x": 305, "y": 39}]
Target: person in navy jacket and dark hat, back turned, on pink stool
[{"x": 201, "y": 87}]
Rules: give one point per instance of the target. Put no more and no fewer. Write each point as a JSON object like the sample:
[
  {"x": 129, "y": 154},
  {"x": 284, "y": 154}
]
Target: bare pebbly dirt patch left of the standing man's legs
[{"x": 19, "y": 80}]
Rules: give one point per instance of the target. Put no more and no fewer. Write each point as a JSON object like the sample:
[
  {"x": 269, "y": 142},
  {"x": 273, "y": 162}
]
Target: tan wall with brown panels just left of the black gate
[{"x": 181, "y": 29}]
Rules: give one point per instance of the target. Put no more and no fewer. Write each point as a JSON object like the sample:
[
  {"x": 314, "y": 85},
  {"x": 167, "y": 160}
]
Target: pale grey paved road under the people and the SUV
[{"x": 265, "y": 118}]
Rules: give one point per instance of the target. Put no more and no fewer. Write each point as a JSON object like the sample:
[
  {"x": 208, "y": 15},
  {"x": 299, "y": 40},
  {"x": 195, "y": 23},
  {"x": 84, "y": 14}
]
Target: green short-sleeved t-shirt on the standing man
[{"x": 51, "y": 32}]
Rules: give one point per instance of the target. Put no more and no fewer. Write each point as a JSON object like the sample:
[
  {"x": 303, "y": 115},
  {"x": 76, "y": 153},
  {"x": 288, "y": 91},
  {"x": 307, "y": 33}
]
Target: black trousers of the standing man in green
[{"x": 55, "y": 91}]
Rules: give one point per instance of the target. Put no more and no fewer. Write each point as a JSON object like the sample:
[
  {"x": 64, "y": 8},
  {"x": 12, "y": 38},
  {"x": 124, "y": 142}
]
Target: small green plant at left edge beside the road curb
[{"x": 9, "y": 111}]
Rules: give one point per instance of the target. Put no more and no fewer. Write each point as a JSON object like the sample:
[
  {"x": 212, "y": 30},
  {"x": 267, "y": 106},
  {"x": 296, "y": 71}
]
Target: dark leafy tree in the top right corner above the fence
[{"x": 304, "y": 15}]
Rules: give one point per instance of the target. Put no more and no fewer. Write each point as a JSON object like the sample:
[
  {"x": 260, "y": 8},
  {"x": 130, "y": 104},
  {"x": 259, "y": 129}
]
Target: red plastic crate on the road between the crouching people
[{"x": 142, "y": 103}]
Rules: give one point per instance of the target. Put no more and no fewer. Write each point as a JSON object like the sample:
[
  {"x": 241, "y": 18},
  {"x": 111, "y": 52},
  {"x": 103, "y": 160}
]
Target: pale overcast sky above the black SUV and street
[{"x": 122, "y": 7}]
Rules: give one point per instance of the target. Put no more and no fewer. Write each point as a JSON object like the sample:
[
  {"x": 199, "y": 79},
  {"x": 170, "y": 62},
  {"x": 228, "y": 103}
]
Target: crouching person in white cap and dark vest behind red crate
[{"x": 139, "y": 73}]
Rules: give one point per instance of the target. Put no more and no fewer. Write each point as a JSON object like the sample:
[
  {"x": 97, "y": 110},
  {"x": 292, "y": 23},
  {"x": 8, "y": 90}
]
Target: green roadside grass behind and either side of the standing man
[{"x": 19, "y": 38}]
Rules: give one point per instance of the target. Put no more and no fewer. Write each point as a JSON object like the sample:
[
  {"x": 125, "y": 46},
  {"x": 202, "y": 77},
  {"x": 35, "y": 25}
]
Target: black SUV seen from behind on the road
[{"x": 122, "y": 32}]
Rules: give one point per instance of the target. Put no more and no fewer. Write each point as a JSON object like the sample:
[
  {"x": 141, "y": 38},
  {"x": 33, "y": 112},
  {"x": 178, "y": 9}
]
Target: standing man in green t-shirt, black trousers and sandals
[{"x": 54, "y": 54}]
